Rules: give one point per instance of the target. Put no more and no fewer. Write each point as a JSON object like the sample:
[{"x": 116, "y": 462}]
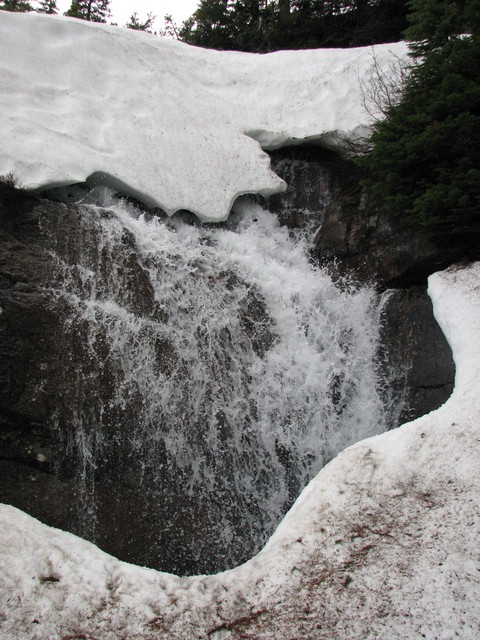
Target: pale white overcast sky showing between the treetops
[{"x": 123, "y": 9}]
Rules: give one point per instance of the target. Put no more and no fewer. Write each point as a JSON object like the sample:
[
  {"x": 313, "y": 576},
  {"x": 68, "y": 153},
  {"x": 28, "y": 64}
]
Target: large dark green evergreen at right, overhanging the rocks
[{"x": 425, "y": 161}]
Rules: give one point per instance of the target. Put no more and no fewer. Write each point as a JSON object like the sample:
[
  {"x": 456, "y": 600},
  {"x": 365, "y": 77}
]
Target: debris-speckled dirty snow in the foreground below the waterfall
[{"x": 383, "y": 543}]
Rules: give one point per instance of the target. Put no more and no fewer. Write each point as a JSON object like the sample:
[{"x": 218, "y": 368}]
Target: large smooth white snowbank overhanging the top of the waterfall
[{"x": 175, "y": 126}]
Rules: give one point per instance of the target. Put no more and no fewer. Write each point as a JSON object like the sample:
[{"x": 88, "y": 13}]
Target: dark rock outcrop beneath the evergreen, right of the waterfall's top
[{"x": 324, "y": 196}]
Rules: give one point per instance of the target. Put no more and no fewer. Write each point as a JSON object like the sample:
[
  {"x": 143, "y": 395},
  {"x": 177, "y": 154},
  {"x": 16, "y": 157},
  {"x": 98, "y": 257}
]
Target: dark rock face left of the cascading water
[{"x": 30, "y": 348}]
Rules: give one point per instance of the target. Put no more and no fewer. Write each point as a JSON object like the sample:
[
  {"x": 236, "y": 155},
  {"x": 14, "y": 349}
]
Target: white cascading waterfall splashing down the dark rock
[{"x": 214, "y": 371}]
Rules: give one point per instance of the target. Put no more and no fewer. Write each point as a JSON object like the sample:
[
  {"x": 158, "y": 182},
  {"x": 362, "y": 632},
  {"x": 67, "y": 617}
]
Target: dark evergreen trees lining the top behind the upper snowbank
[{"x": 260, "y": 25}]
